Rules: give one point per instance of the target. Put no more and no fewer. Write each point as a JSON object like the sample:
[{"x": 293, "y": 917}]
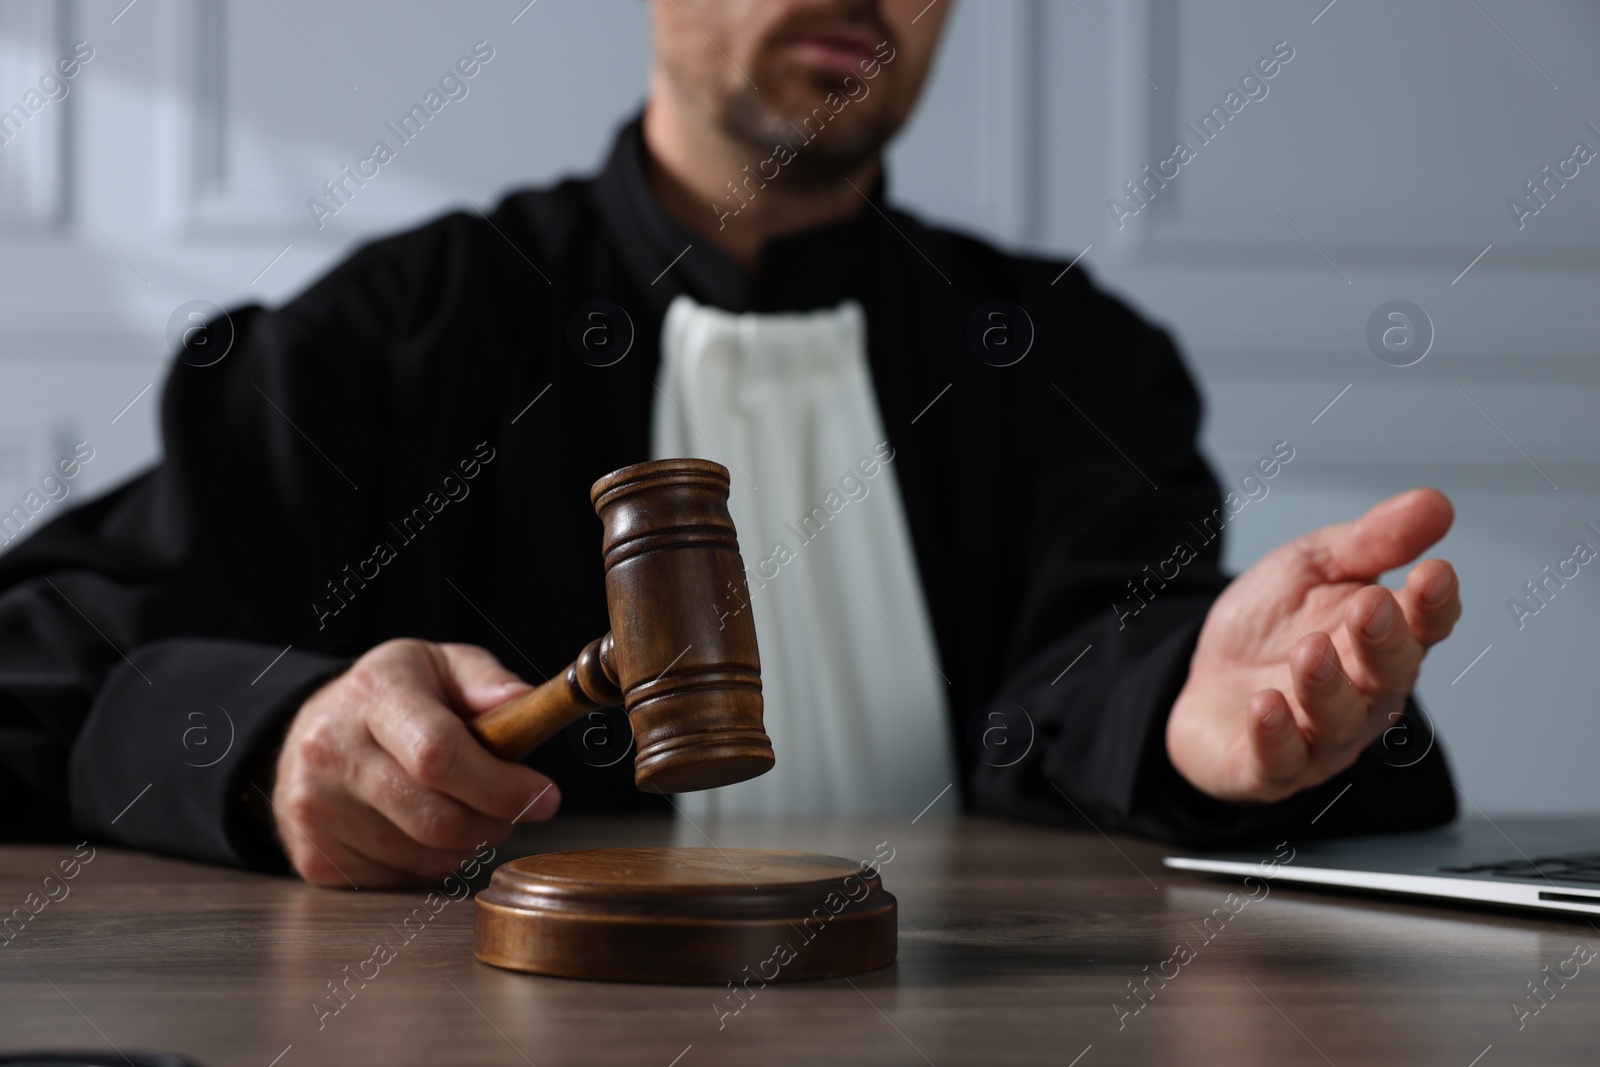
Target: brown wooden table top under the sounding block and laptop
[{"x": 1017, "y": 943}]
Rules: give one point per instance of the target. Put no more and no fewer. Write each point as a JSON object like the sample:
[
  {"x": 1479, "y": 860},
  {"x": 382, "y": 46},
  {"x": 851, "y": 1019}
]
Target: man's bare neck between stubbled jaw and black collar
[{"x": 714, "y": 186}]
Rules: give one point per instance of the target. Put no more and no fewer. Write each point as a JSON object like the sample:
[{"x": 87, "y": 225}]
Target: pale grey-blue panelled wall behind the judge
[{"x": 1377, "y": 167}]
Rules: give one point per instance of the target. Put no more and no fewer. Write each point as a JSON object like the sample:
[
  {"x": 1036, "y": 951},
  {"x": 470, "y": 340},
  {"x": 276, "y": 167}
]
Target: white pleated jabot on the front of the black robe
[{"x": 855, "y": 701}]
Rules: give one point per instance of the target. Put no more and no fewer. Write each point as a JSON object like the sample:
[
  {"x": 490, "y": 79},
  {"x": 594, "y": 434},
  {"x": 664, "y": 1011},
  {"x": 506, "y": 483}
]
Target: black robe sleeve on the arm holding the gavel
[{"x": 156, "y": 642}]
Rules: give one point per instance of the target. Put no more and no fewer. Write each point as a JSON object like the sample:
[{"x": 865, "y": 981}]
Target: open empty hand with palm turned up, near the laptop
[{"x": 1305, "y": 661}]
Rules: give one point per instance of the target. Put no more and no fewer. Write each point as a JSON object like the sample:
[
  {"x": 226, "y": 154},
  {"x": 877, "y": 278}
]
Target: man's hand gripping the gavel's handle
[{"x": 380, "y": 783}]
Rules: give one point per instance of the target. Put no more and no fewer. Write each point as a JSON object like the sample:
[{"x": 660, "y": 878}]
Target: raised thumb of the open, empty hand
[{"x": 1390, "y": 535}]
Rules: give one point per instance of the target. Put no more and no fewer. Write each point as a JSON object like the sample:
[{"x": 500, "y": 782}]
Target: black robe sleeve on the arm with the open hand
[{"x": 1102, "y": 647}]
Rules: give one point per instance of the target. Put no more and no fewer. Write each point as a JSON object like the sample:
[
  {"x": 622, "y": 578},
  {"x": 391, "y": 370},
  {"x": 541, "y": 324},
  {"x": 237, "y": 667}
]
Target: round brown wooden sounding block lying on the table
[{"x": 690, "y": 916}]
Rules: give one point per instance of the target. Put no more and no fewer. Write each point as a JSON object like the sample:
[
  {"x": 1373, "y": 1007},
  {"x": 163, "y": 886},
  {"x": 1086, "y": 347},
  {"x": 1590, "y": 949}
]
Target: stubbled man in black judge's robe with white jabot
[{"x": 956, "y": 474}]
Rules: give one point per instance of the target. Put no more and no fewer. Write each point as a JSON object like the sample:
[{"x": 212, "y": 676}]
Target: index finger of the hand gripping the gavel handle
[{"x": 436, "y": 751}]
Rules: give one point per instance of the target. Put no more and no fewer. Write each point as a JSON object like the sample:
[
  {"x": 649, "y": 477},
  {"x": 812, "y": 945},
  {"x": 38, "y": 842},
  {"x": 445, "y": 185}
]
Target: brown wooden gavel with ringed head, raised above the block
[{"x": 686, "y": 669}]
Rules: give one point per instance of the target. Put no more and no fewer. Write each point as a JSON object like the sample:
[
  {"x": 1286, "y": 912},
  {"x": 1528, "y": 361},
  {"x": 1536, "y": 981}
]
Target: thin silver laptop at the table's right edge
[{"x": 1545, "y": 863}]
